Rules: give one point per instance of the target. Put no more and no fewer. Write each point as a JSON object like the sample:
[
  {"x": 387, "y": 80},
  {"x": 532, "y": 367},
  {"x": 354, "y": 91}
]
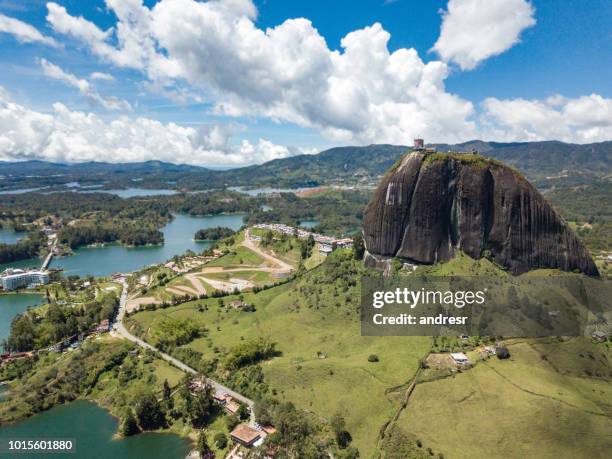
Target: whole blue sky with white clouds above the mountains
[{"x": 236, "y": 82}]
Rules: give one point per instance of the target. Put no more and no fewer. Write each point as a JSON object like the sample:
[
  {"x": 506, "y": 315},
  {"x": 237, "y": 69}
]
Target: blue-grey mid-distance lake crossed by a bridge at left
[{"x": 103, "y": 261}]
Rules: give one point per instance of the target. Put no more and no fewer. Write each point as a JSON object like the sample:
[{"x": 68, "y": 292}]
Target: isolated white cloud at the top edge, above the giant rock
[{"x": 474, "y": 30}]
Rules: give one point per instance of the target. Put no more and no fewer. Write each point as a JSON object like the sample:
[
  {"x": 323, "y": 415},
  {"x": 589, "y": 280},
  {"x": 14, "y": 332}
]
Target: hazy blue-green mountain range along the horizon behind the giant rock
[{"x": 544, "y": 163}]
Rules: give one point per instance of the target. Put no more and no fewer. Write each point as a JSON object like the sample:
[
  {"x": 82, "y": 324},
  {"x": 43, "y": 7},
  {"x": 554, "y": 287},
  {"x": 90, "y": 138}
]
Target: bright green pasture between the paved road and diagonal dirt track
[{"x": 342, "y": 381}]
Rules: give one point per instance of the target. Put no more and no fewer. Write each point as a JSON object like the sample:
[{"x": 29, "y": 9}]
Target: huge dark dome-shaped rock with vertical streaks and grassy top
[{"x": 431, "y": 204}]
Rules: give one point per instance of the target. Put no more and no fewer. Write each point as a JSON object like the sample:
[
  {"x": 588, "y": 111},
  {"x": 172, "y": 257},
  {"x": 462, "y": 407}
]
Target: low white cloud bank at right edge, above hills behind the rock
[{"x": 584, "y": 119}]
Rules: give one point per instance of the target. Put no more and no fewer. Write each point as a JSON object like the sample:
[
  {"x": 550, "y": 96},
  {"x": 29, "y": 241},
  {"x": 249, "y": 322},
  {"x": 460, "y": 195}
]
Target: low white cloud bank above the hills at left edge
[{"x": 73, "y": 136}]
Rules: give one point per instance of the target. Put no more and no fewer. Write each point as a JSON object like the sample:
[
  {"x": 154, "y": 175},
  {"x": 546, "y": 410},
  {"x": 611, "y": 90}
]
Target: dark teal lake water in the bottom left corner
[{"x": 92, "y": 429}]
